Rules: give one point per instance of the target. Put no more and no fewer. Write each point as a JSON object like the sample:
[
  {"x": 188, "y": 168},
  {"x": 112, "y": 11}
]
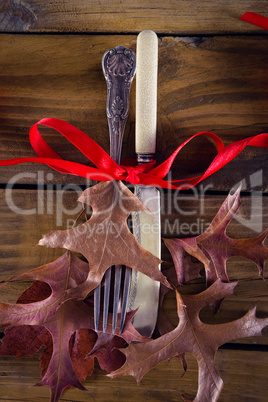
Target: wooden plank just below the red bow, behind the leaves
[{"x": 26, "y": 215}]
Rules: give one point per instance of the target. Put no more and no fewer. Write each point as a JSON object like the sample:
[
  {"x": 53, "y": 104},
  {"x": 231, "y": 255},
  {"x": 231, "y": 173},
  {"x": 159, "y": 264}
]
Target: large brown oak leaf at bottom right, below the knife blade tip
[{"x": 193, "y": 336}]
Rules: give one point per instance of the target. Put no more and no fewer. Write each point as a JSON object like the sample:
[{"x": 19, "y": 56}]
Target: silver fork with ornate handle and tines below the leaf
[{"x": 119, "y": 67}]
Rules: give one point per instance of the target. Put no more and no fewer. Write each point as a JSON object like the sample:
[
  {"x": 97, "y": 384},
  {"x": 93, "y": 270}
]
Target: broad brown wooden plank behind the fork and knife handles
[{"x": 217, "y": 84}]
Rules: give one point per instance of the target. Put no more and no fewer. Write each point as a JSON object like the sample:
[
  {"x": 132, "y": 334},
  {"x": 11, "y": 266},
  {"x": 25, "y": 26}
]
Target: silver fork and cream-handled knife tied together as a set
[{"x": 138, "y": 290}]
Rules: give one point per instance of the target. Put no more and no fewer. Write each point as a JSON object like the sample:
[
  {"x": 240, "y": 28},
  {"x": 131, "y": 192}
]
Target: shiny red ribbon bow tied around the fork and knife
[{"x": 107, "y": 169}]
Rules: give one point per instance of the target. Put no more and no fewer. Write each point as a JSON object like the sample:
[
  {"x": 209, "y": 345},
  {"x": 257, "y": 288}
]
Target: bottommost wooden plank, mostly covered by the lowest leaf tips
[{"x": 242, "y": 371}]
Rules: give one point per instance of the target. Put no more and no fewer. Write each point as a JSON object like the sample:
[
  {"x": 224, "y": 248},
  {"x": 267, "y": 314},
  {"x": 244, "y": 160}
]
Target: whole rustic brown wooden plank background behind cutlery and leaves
[{"x": 212, "y": 76}]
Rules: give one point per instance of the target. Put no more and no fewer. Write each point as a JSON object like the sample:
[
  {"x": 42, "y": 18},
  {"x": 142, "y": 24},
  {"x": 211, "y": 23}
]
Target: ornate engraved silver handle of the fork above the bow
[{"x": 119, "y": 67}]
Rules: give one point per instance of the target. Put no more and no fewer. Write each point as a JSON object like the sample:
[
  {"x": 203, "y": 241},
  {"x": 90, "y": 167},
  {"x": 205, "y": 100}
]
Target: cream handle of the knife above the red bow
[{"x": 146, "y": 95}]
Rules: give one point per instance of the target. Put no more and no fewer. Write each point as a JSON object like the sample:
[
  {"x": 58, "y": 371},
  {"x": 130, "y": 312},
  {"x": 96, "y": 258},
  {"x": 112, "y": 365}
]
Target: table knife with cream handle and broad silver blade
[{"x": 144, "y": 292}]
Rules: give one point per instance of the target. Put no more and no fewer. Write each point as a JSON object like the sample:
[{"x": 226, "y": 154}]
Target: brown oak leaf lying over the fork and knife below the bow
[{"x": 105, "y": 238}]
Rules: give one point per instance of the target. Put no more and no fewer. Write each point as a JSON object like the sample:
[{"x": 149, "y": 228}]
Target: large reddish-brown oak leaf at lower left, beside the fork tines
[{"x": 61, "y": 319}]
